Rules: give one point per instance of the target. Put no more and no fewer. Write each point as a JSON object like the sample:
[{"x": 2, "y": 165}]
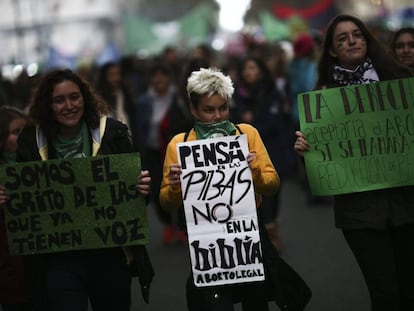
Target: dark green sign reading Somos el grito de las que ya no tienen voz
[{"x": 73, "y": 204}]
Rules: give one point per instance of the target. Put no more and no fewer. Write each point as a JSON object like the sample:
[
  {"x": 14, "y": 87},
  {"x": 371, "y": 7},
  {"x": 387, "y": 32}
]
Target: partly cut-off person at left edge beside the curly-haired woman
[{"x": 12, "y": 285}]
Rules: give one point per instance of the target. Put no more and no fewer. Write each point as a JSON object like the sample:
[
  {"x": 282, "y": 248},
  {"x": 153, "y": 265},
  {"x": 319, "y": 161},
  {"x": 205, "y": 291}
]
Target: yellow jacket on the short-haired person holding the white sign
[{"x": 265, "y": 178}]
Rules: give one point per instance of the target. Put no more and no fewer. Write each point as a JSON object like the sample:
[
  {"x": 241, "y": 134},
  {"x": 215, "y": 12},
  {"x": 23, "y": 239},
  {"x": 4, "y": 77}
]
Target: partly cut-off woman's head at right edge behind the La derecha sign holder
[{"x": 402, "y": 46}]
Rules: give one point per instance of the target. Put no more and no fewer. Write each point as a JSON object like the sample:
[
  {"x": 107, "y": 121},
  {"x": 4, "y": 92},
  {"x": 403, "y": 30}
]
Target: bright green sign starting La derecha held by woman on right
[{"x": 361, "y": 137}]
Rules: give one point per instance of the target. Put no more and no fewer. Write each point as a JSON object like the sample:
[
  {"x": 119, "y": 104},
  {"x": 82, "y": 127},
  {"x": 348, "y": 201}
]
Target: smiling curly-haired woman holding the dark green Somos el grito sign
[{"x": 70, "y": 121}]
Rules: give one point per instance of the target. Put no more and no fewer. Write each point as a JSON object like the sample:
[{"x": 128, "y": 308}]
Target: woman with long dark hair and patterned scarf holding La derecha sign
[{"x": 378, "y": 225}]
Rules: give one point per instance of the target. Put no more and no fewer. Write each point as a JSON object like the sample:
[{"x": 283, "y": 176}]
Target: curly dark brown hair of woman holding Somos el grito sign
[{"x": 41, "y": 107}]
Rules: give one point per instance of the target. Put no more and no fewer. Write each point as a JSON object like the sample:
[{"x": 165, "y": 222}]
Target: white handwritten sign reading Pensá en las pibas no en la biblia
[{"x": 220, "y": 211}]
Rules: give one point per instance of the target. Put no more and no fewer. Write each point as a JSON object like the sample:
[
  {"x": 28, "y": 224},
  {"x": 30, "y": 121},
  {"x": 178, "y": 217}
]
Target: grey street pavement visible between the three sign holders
[{"x": 310, "y": 244}]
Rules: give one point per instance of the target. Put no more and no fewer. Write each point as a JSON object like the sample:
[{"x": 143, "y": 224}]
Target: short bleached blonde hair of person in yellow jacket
[{"x": 209, "y": 81}]
